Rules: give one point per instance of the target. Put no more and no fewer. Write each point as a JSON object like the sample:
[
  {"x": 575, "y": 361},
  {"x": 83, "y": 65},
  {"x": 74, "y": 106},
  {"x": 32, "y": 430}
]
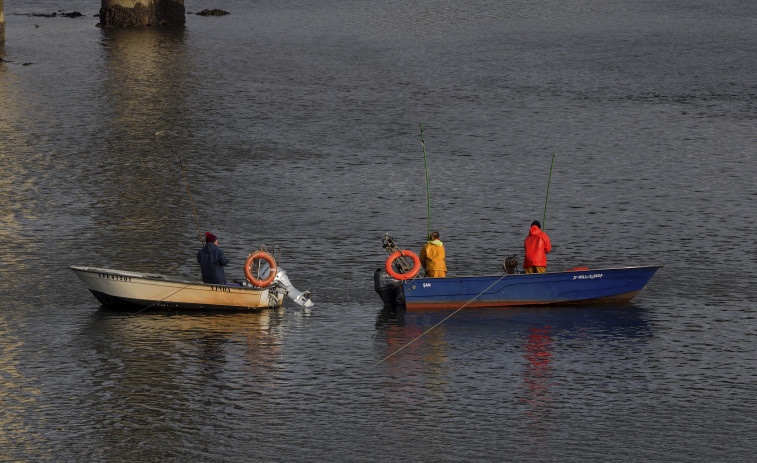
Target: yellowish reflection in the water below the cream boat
[{"x": 168, "y": 353}]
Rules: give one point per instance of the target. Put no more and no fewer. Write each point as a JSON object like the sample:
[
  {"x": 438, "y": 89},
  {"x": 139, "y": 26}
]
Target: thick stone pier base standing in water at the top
[{"x": 128, "y": 13}]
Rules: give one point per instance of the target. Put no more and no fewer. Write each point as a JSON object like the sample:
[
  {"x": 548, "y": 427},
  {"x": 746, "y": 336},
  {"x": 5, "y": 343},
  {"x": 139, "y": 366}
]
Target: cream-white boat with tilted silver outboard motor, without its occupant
[{"x": 148, "y": 290}]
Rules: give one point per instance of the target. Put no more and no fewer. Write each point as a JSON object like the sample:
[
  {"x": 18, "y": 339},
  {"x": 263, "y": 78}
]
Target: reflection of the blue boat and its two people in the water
[{"x": 528, "y": 360}]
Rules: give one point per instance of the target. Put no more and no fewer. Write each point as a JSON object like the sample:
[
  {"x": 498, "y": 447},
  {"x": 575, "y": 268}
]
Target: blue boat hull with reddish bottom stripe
[{"x": 569, "y": 287}]
